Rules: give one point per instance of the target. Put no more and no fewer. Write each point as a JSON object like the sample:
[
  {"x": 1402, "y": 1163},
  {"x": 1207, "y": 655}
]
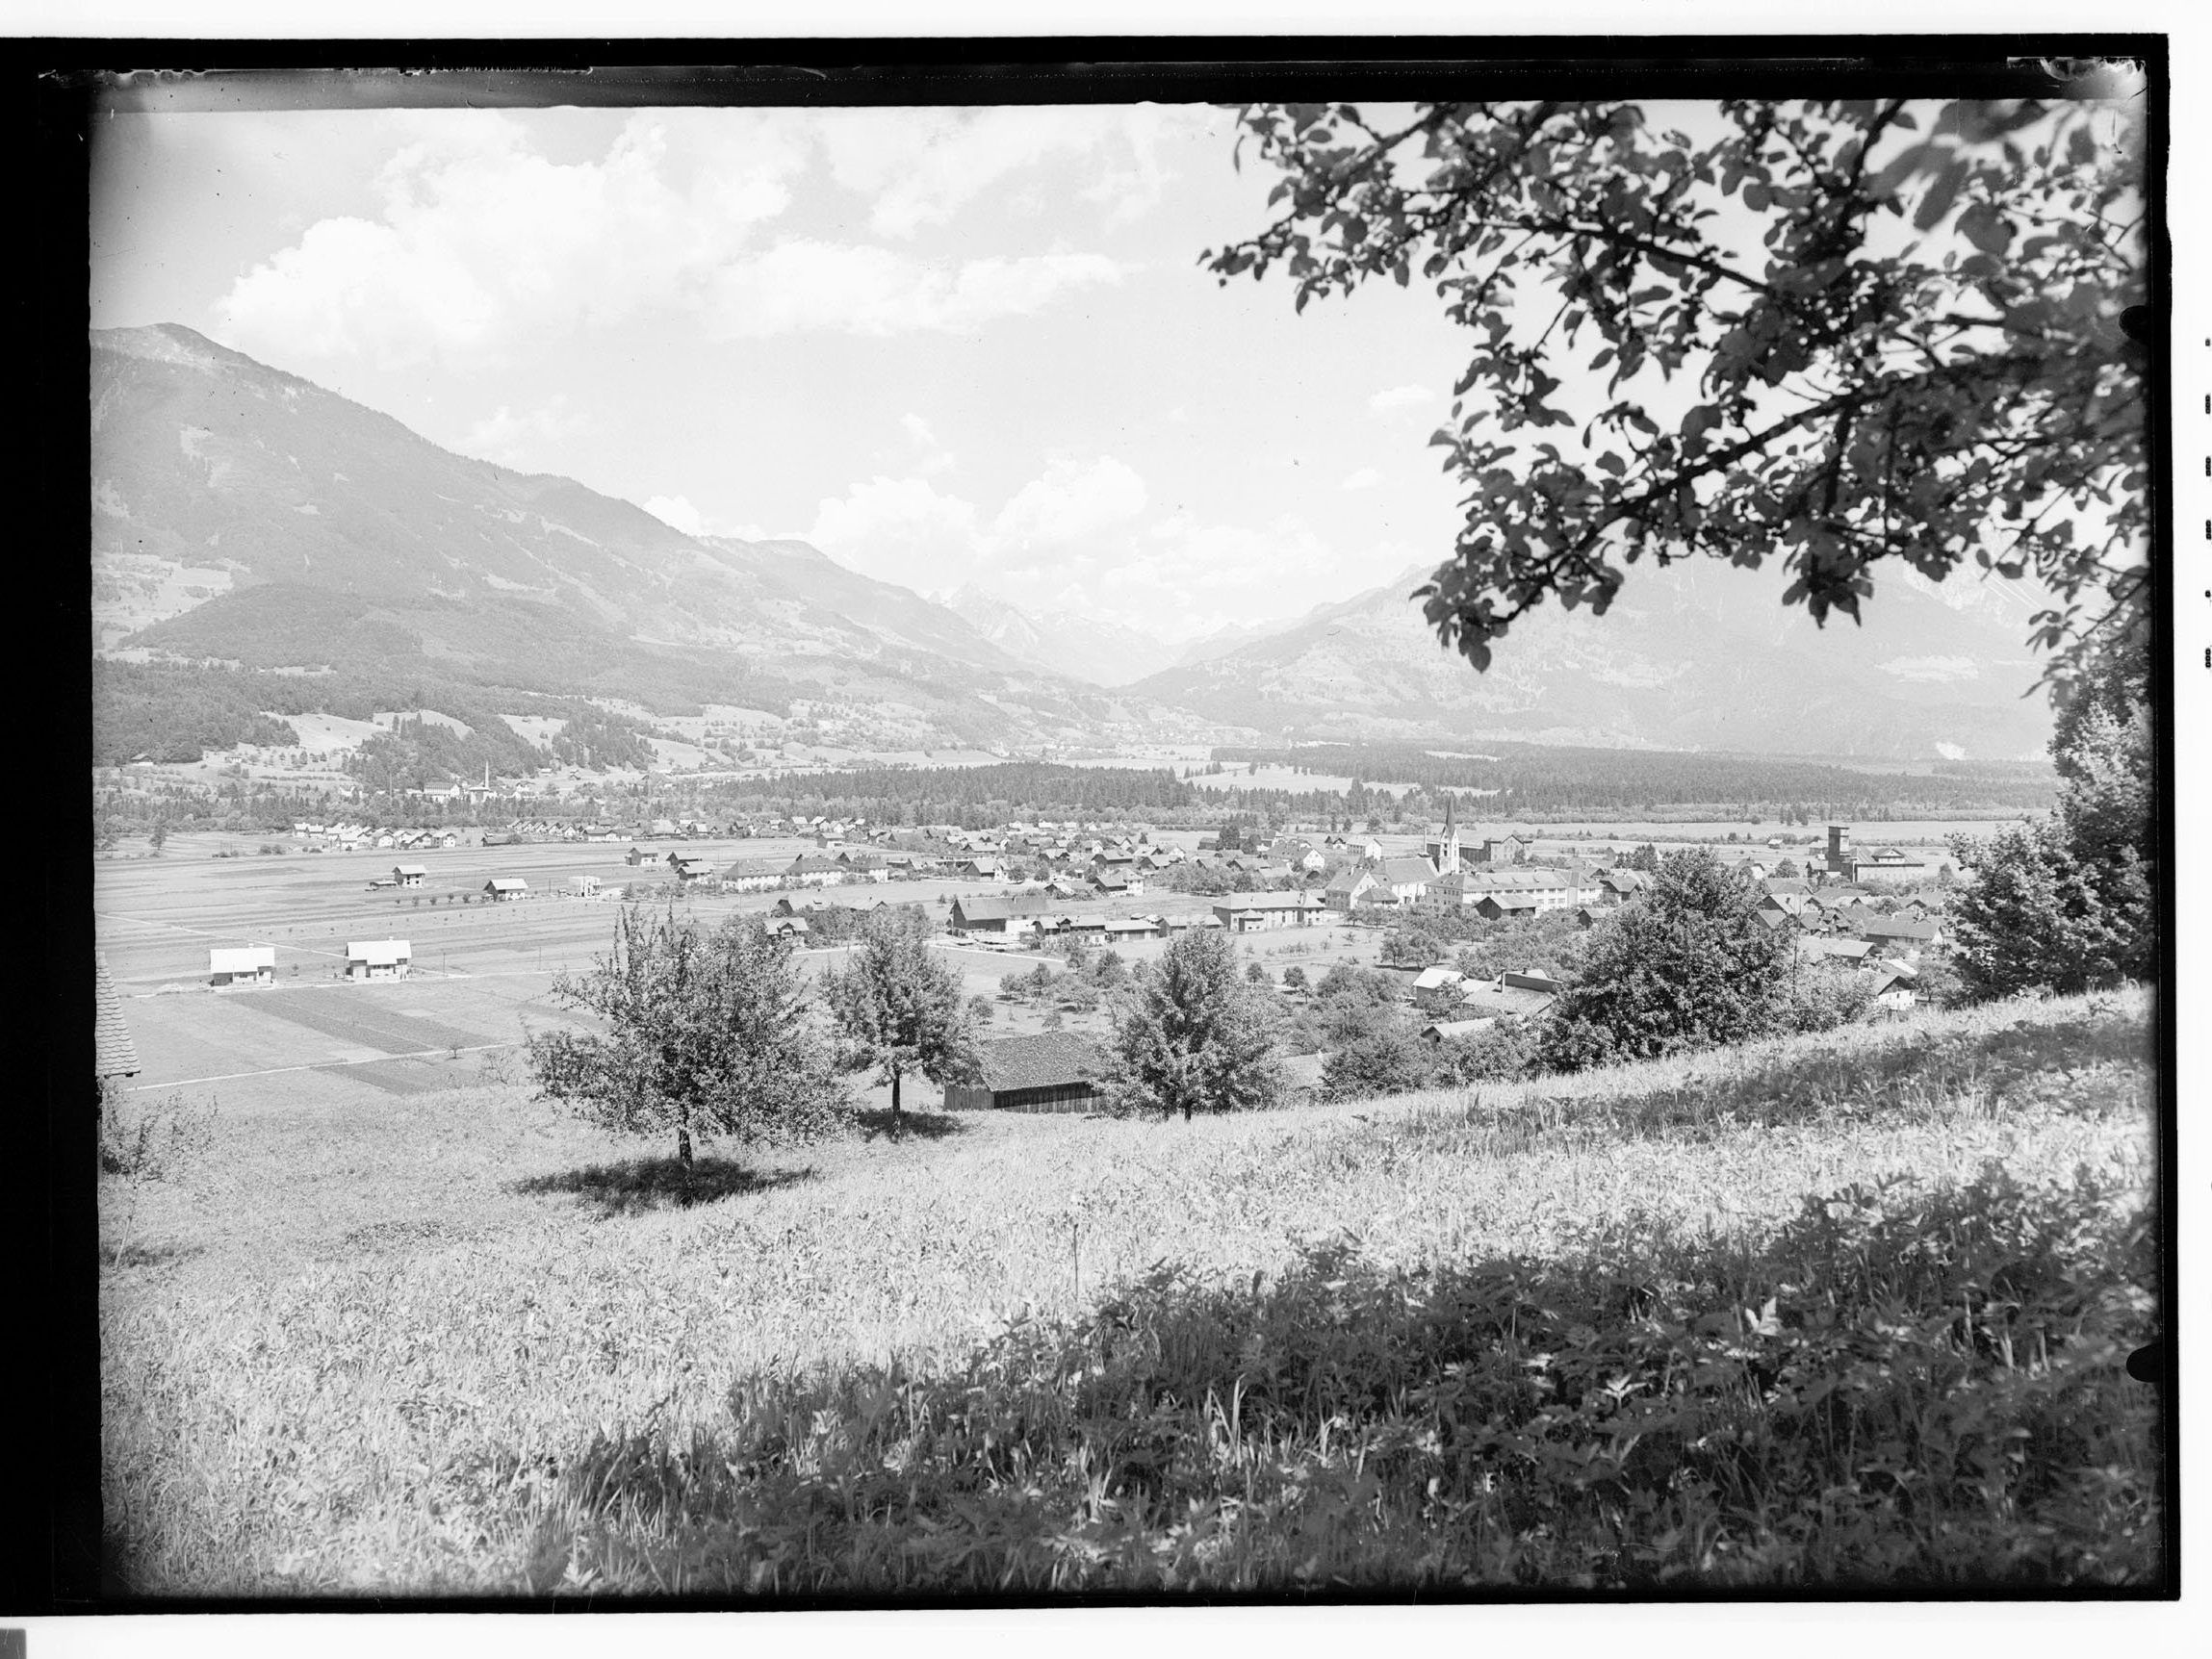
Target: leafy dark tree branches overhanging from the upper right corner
[{"x": 1830, "y": 335}]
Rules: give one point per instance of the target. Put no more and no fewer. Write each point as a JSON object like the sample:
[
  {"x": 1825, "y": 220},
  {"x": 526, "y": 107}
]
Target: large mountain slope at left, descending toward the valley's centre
[{"x": 253, "y": 517}]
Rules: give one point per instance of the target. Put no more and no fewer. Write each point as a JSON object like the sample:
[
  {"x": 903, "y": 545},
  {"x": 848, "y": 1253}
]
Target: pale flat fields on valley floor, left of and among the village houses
[{"x": 481, "y": 977}]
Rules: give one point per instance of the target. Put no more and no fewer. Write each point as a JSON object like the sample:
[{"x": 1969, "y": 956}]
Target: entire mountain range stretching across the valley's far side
[{"x": 247, "y": 514}]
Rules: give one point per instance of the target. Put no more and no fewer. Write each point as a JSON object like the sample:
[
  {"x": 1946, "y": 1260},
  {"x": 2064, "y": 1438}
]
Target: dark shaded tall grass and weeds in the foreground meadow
[{"x": 1897, "y": 1388}]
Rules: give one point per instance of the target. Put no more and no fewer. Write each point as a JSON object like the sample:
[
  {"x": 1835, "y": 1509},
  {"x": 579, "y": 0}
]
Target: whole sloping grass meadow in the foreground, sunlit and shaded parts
[{"x": 450, "y": 1342}]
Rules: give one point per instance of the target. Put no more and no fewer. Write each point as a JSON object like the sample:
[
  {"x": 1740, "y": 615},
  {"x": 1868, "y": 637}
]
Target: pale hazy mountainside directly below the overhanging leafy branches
[{"x": 1689, "y": 658}]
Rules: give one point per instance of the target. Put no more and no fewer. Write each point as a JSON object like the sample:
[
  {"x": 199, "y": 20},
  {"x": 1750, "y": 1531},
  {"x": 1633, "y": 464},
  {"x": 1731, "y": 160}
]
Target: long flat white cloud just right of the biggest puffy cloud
[{"x": 875, "y": 291}]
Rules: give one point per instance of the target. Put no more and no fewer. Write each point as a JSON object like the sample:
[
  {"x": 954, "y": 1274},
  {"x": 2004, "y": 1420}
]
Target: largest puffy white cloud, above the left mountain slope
[{"x": 483, "y": 242}]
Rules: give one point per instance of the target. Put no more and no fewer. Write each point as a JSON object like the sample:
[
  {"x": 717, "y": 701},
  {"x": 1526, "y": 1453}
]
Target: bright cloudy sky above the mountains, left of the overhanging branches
[{"x": 948, "y": 346}]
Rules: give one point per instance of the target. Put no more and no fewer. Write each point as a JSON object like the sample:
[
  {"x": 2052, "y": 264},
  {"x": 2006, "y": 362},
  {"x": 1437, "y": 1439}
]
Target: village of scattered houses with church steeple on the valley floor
[{"x": 1027, "y": 901}]
